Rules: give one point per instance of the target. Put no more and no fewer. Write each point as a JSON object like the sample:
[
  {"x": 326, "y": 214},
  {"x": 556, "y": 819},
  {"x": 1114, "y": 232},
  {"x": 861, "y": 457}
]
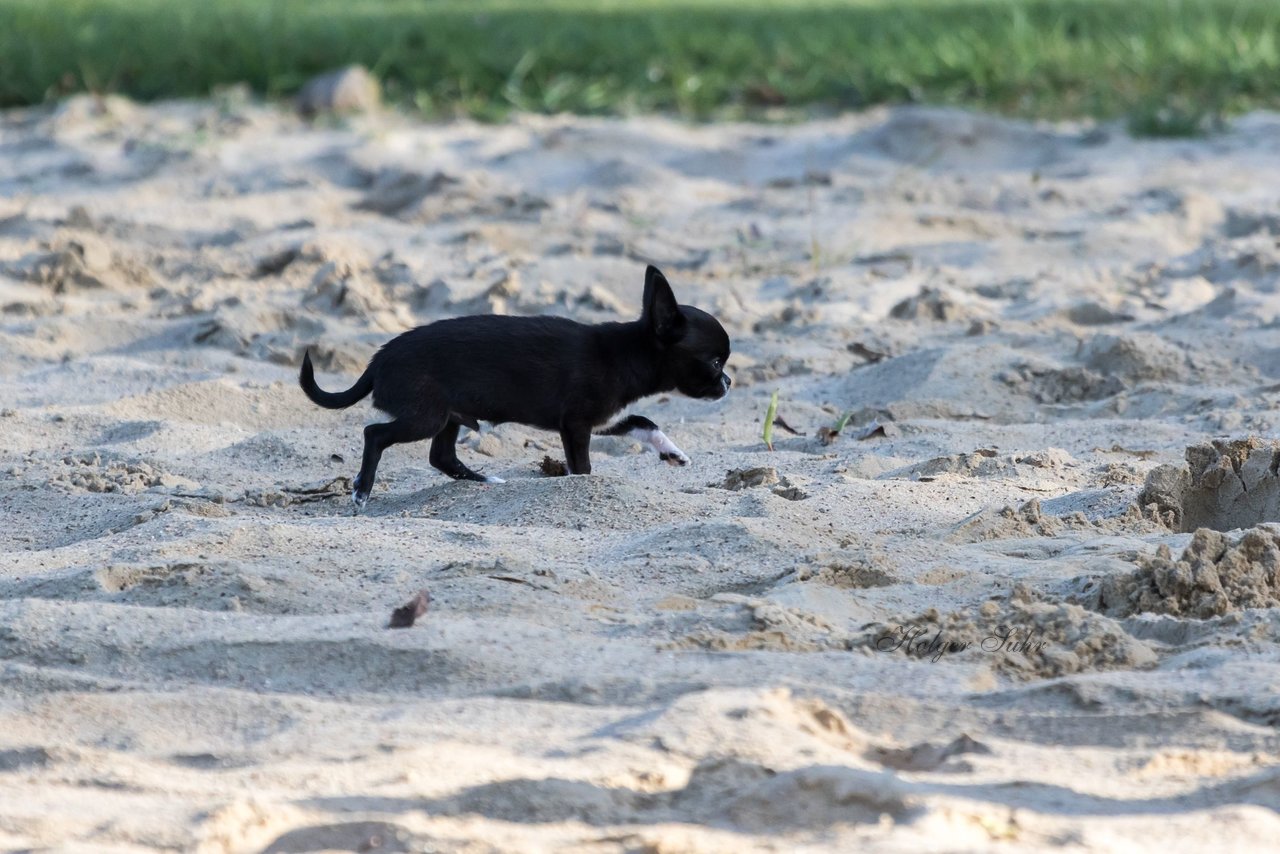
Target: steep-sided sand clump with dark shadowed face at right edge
[{"x": 1227, "y": 485}]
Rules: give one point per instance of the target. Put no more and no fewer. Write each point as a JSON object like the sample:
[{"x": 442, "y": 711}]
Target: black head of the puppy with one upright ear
[{"x": 693, "y": 348}]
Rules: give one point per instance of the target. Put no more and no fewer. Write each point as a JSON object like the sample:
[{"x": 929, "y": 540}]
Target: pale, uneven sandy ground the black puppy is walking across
[{"x": 971, "y": 629}]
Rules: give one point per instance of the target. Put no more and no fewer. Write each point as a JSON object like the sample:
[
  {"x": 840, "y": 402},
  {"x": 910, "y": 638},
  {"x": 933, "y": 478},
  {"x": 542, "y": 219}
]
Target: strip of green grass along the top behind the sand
[{"x": 1172, "y": 66}]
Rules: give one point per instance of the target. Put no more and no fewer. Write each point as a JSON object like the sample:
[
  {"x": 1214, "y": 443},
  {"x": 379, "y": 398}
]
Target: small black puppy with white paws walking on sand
[{"x": 550, "y": 373}]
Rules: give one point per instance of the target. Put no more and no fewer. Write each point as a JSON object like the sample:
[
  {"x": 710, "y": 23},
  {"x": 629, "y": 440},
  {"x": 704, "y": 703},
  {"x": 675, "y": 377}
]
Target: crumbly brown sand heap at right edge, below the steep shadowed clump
[{"x": 1215, "y": 576}]
